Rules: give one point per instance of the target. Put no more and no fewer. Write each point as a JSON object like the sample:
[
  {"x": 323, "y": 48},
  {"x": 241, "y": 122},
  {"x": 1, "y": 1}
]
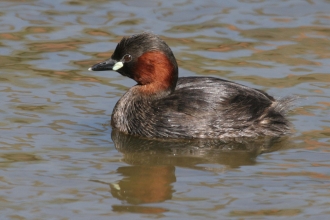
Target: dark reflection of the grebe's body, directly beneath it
[{"x": 190, "y": 152}]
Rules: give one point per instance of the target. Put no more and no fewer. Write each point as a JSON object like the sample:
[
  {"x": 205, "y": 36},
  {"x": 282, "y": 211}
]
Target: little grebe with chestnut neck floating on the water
[{"x": 162, "y": 105}]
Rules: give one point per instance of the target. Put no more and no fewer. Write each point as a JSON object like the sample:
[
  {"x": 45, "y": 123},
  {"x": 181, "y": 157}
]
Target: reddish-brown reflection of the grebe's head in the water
[{"x": 144, "y": 184}]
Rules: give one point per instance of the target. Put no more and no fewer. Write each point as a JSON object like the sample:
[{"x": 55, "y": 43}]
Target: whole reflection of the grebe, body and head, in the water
[{"x": 151, "y": 174}]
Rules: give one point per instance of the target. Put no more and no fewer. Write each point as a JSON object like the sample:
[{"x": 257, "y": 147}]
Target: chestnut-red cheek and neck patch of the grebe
[{"x": 155, "y": 73}]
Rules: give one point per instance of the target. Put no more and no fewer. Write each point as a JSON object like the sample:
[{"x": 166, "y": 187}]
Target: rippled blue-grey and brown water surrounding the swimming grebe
[{"x": 58, "y": 160}]
